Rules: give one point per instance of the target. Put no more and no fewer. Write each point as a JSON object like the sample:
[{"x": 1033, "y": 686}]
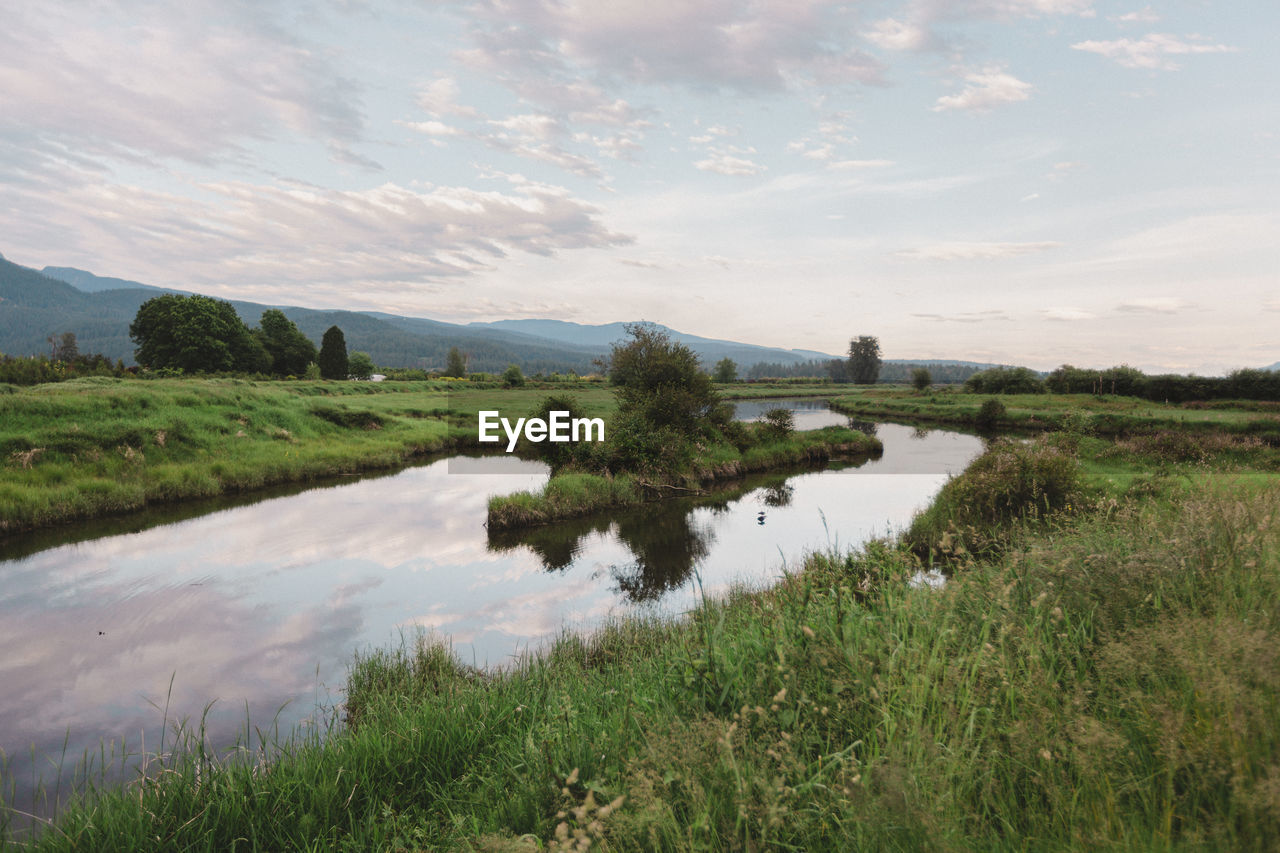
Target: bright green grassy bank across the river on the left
[{"x": 99, "y": 446}]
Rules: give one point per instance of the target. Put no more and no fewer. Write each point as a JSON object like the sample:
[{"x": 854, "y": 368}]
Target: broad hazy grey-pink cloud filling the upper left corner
[{"x": 194, "y": 83}]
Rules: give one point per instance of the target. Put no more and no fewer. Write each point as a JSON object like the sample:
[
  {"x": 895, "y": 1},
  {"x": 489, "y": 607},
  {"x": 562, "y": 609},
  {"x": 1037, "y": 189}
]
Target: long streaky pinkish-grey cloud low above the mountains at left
[{"x": 309, "y": 239}]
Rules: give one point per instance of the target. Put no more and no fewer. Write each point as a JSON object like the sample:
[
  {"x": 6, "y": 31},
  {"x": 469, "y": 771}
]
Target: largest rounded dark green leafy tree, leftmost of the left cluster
[{"x": 195, "y": 335}]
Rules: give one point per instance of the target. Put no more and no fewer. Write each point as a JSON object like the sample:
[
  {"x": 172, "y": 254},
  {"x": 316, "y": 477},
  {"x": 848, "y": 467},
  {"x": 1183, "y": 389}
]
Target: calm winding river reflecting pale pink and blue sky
[{"x": 262, "y": 606}]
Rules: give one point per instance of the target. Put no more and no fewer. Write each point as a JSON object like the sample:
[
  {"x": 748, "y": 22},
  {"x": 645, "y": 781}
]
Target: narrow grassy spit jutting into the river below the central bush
[{"x": 575, "y": 495}]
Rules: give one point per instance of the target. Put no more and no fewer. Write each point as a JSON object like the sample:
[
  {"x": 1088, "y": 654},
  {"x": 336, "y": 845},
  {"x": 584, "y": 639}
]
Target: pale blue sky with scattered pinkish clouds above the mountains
[{"x": 1036, "y": 183}]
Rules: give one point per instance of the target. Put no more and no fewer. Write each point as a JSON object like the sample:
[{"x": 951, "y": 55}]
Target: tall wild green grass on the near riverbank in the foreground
[{"x": 1112, "y": 682}]
